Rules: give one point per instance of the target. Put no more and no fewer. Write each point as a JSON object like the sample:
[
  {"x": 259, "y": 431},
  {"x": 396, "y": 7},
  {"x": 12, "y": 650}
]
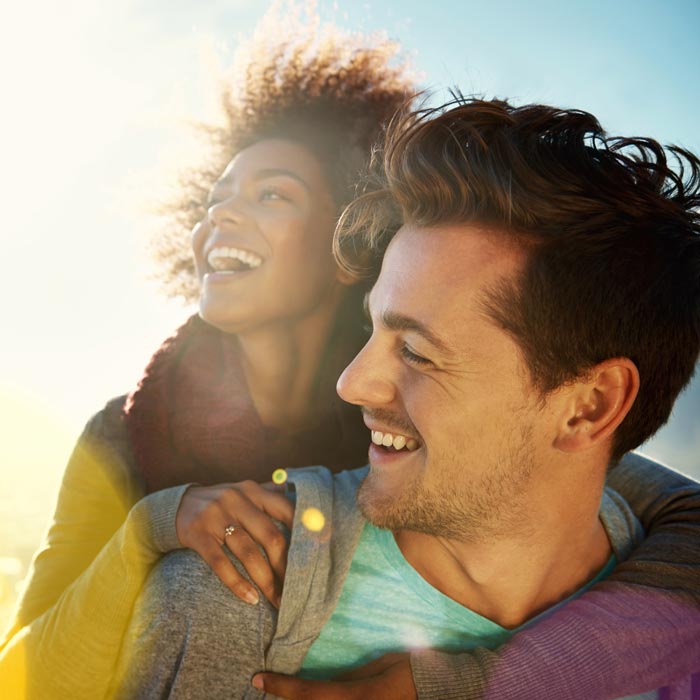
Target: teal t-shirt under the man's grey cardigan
[{"x": 387, "y": 606}]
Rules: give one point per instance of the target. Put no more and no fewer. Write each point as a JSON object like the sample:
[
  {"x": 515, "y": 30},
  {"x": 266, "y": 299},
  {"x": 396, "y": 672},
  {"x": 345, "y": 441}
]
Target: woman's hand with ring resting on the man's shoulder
[{"x": 246, "y": 509}]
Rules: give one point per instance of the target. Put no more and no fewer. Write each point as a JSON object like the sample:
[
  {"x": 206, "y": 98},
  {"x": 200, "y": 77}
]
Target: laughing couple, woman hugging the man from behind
[{"x": 533, "y": 292}]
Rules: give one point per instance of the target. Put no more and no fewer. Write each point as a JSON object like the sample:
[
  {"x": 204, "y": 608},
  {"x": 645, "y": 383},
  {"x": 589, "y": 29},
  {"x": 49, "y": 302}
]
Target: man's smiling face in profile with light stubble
[{"x": 450, "y": 387}]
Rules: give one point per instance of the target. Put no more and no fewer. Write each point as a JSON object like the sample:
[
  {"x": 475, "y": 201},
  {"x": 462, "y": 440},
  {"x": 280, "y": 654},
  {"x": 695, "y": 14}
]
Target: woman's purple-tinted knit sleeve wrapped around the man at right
[{"x": 636, "y": 631}]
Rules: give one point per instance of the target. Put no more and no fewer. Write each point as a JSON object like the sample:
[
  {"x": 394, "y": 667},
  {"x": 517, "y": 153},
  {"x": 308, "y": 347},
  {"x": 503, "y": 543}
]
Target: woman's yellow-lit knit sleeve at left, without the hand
[{"x": 68, "y": 628}]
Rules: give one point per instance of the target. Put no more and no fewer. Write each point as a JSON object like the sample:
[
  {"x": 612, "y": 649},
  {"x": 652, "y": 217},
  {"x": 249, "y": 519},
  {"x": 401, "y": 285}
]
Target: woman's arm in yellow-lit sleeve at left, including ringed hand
[{"x": 69, "y": 626}]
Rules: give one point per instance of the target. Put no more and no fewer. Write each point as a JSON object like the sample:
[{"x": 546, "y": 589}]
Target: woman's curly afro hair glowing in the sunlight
[{"x": 295, "y": 78}]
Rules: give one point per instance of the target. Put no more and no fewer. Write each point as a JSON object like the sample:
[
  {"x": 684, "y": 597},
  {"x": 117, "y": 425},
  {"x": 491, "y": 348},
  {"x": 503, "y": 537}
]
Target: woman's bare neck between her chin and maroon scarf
[{"x": 281, "y": 363}]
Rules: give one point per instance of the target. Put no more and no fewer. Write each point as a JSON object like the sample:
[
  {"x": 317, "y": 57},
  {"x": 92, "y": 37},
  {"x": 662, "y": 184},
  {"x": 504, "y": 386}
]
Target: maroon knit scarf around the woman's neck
[{"x": 191, "y": 417}]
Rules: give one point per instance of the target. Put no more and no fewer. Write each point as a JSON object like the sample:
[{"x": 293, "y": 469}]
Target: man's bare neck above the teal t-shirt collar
[{"x": 511, "y": 579}]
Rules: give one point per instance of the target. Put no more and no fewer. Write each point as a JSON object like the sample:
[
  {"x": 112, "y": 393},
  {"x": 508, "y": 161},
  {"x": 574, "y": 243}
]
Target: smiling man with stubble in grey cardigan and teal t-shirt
[{"x": 536, "y": 314}]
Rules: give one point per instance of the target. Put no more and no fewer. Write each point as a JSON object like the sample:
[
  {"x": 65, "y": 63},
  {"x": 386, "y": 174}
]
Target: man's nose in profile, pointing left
[{"x": 367, "y": 380}]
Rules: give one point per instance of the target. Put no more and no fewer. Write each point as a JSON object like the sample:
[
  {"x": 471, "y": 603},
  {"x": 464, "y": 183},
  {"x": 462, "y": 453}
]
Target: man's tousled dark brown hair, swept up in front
[{"x": 611, "y": 226}]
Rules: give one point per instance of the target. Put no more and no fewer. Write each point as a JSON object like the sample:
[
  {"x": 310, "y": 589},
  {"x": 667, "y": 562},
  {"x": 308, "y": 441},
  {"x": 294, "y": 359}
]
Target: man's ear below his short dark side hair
[{"x": 598, "y": 403}]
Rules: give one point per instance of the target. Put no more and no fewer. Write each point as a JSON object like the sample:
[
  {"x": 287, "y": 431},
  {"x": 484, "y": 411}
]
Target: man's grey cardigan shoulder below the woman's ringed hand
[{"x": 189, "y": 635}]
